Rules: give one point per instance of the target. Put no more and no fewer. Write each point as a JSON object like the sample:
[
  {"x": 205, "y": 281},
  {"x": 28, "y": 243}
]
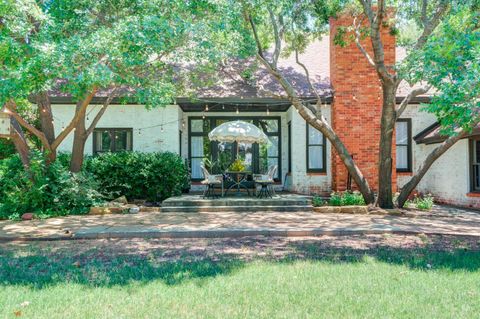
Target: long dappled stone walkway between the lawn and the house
[{"x": 442, "y": 220}]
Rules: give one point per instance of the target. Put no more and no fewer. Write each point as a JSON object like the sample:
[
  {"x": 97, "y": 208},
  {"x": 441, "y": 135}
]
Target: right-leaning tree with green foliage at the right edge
[{"x": 451, "y": 66}]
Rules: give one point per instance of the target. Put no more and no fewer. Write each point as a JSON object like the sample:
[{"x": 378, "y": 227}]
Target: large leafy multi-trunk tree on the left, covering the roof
[{"x": 134, "y": 50}]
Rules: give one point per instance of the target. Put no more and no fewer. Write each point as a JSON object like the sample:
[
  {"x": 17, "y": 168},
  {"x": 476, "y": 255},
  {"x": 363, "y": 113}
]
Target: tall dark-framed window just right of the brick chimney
[{"x": 403, "y": 134}]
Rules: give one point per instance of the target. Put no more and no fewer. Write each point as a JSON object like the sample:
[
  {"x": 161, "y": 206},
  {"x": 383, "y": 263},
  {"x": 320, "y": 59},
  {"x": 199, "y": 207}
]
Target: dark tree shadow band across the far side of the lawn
[{"x": 95, "y": 267}]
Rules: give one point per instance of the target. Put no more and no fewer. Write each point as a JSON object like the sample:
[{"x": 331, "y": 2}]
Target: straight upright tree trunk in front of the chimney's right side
[{"x": 385, "y": 160}]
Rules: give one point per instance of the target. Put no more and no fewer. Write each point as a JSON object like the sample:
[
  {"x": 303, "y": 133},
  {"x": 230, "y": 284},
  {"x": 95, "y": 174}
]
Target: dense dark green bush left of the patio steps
[{"x": 150, "y": 176}]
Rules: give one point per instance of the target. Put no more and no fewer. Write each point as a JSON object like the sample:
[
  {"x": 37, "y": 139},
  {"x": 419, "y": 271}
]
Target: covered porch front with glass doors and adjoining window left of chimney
[{"x": 302, "y": 157}]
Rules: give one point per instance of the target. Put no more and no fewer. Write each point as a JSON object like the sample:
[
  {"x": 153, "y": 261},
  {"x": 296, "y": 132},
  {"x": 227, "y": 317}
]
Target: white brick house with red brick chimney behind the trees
[{"x": 351, "y": 100}]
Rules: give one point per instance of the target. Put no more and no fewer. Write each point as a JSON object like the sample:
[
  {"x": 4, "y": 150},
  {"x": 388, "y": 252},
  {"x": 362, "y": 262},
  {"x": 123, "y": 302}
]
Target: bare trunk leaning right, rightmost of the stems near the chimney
[{"x": 408, "y": 188}]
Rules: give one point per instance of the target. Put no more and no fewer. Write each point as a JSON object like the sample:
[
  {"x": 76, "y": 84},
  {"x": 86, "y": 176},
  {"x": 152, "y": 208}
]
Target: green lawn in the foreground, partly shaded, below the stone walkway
[{"x": 308, "y": 280}]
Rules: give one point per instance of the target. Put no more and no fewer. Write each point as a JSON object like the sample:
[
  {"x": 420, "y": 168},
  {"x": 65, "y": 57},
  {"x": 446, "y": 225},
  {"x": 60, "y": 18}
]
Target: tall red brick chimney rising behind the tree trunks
[{"x": 357, "y": 104}]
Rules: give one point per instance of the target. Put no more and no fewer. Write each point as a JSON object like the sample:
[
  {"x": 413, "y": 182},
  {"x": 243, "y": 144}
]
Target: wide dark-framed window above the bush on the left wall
[{"x": 112, "y": 140}]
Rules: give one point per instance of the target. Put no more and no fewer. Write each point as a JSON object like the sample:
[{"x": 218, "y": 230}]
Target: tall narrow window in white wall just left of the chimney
[{"x": 316, "y": 150}]
